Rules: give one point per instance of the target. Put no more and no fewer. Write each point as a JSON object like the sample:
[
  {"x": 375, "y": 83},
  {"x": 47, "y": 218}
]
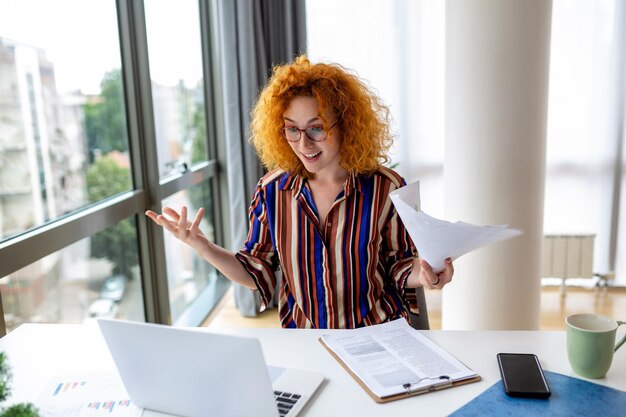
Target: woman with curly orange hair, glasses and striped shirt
[{"x": 322, "y": 213}]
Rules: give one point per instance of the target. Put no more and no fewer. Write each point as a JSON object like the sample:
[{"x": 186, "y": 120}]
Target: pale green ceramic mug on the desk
[{"x": 591, "y": 343}]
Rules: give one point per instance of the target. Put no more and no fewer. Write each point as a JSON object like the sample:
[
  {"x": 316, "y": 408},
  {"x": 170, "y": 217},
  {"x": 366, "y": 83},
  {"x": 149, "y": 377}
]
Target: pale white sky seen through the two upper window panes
[{"x": 81, "y": 38}]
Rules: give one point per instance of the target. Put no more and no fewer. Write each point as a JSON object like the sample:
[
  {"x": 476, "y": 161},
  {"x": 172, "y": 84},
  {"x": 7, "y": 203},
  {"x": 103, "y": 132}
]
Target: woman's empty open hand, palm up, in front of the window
[{"x": 180, "y": 227}]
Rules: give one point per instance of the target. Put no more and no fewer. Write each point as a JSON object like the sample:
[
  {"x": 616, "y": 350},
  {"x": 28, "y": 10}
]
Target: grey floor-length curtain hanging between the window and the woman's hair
[{"x": 251, "y": 37}]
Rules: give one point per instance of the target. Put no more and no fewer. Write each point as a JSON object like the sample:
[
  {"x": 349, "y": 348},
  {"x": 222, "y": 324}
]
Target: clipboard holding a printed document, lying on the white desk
[{"x": 393, "y": 358}]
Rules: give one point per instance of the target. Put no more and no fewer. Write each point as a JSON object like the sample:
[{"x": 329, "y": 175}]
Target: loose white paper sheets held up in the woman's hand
[{"x": 437, "y": 239}]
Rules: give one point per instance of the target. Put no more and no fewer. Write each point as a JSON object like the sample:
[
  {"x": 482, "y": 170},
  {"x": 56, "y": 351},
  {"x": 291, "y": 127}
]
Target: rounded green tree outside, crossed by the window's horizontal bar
[{"x": 106, "y": 177}]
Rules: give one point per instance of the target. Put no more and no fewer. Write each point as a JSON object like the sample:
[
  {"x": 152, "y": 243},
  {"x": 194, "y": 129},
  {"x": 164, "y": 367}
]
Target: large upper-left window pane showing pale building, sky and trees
[{"x": 61, "y": 110}]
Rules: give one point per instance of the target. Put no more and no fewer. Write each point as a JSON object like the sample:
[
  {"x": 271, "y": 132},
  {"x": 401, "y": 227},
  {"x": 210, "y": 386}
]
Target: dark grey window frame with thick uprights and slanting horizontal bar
[{"x": 148, "y": 189}]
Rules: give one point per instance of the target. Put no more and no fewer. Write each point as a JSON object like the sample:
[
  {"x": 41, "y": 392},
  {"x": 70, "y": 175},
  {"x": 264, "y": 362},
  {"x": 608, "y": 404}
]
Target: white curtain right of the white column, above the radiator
[{"x": 584, "y": 164}]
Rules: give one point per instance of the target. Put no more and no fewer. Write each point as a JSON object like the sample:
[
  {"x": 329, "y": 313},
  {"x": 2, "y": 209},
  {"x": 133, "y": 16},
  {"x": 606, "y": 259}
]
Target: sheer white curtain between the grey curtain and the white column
[{"x": 397, "y": 47}]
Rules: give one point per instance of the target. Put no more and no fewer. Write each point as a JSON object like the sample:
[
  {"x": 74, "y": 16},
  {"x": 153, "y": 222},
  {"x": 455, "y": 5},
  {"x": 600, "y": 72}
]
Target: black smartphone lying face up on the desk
[{"x": 522, "y": 375}]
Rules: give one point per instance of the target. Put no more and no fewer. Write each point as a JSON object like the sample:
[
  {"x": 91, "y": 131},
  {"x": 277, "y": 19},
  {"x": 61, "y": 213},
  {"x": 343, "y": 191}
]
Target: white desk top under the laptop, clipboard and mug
[{"x": 40, "y": 352}]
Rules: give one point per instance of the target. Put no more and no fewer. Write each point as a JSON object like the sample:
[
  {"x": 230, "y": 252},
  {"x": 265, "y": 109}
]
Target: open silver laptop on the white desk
[{"x": 195, "y": 373}]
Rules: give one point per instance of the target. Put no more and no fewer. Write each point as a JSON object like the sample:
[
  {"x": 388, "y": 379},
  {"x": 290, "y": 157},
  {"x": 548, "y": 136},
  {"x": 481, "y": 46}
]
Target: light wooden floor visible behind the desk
[{"x": 554, "y": 308}]
